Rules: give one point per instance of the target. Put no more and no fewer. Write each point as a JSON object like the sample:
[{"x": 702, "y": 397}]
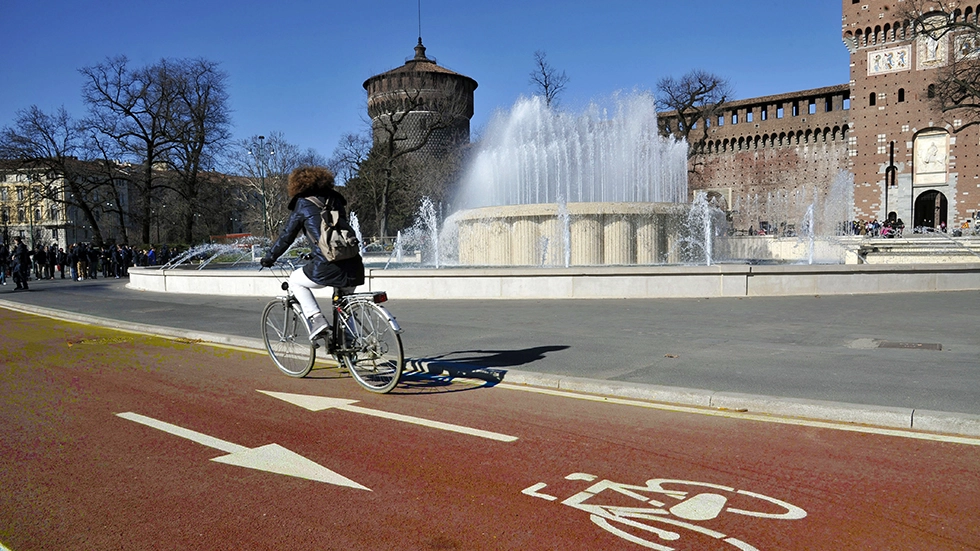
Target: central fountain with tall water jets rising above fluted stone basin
[{"x": 602, "y": 185}]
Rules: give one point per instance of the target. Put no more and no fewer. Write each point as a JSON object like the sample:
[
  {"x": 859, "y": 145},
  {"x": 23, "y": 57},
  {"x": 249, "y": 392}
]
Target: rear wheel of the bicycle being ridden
[{"x": 372, "y": 350}]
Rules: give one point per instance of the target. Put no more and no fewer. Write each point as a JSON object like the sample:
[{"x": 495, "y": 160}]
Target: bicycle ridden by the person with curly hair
[{"x": 364, "y": 337}]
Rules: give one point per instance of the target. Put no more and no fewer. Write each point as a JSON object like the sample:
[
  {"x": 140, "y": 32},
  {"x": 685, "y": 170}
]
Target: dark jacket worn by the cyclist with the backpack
[{"x": 305, "y": 218}]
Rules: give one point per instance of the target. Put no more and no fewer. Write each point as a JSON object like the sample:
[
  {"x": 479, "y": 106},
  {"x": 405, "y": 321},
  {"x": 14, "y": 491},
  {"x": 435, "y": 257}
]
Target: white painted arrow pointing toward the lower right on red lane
[{"x": 271, "y": 458}]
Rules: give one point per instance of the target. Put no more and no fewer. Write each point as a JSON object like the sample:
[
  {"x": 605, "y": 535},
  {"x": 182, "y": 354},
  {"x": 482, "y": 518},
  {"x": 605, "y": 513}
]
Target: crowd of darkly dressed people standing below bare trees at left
[{"x": 20, "y": 263}]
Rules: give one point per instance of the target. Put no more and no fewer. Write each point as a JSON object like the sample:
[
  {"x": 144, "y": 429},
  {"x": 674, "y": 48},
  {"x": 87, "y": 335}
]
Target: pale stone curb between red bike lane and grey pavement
[{"x": 960, "y": 424}]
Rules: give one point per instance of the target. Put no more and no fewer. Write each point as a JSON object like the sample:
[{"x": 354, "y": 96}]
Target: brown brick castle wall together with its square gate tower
[{"x": 881, "y": 127}]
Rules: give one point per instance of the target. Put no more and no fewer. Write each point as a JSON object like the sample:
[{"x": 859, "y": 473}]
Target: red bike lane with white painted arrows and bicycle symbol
[{"x": 118, "y": 441}]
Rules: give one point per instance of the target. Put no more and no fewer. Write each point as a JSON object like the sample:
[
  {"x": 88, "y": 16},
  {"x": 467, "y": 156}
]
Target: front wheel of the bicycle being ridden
[{"x": 287, "y": 339}]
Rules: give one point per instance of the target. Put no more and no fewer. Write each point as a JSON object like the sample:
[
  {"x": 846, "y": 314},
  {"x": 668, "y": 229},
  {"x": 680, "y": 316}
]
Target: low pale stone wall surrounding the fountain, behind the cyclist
[{"x": 594, "y": 282}]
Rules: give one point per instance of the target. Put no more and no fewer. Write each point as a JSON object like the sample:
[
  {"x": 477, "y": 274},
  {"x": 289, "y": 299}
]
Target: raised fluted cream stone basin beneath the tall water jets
[{"x": 576, "y": 234}]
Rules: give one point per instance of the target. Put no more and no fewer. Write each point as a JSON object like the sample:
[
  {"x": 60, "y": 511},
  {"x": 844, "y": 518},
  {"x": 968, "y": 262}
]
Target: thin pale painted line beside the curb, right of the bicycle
[{"x": 750, "y": 416}]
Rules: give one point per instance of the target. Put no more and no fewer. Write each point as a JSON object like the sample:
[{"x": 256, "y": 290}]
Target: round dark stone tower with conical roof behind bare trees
[{"x": 421, "y": 105}]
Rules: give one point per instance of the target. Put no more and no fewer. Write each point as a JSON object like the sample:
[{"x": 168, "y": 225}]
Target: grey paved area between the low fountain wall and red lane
[{"x": 898, "y": 360}]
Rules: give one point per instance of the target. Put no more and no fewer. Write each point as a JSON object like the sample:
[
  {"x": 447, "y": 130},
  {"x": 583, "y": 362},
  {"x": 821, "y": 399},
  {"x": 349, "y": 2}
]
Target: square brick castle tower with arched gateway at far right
[{"x": 907, "y": 157}]
